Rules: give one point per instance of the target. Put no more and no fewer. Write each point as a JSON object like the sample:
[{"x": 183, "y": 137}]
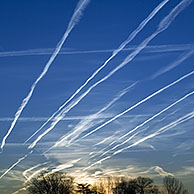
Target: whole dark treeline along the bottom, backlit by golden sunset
[{"x": 59, "y": 183}]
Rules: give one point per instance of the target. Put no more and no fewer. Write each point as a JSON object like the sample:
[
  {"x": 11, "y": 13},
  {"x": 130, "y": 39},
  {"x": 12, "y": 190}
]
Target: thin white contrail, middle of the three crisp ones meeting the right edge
[{"x": 150, "y": 119}]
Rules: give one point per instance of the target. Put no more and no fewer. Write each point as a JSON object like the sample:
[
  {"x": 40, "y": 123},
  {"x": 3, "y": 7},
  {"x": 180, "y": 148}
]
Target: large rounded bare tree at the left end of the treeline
[{"x": 55, "y": 183}]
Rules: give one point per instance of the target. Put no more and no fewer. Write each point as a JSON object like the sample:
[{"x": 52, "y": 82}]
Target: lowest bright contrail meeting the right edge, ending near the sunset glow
[{"x": 158, "y": 132}]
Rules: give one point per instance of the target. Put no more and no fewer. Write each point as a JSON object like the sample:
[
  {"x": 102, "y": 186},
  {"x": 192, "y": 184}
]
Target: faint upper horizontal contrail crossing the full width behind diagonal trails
[{"x": 48, "y": 51}]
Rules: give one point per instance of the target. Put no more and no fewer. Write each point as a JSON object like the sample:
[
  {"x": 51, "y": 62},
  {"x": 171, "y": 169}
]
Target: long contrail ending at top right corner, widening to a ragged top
[{"x": 163, "y": 25}]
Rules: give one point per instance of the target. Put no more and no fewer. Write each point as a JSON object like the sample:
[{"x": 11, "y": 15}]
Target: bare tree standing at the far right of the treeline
[{"x": 173, "y": 186}]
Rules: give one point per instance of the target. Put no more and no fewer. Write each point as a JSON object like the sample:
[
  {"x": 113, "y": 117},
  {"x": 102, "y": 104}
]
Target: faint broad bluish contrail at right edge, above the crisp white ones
[{"x": 173, "y": 65}]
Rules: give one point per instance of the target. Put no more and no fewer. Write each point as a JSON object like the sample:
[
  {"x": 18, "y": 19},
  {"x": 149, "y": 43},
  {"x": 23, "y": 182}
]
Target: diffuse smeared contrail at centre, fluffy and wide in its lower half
[{"x": 87, "y": 123}]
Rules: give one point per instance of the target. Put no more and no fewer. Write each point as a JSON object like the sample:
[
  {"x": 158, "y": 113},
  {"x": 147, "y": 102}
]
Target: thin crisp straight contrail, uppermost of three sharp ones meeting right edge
[{"x": 139, "y": 103}]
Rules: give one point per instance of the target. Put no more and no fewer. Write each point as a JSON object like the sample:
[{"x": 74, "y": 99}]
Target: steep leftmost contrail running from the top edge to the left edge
[{"x": 76, "y": 15}]
